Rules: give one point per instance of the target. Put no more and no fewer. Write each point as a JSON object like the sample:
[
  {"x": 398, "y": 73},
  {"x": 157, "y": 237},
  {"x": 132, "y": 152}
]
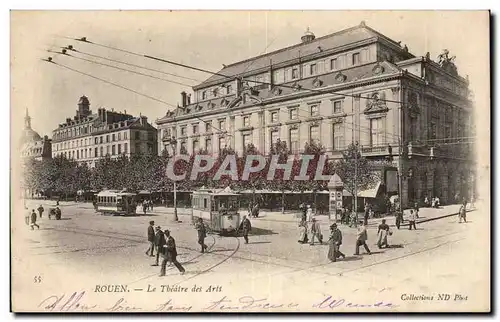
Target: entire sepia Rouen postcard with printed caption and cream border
[{"x": 250, "y": 161}]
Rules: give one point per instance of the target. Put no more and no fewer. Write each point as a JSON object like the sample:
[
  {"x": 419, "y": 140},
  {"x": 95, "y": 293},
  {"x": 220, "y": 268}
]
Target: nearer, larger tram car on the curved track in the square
[{"x": 219, "y": 209}]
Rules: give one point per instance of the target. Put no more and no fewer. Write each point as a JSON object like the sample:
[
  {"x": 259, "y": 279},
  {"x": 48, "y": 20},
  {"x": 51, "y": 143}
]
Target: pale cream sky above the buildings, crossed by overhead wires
[{"x": 205, "y": 39}]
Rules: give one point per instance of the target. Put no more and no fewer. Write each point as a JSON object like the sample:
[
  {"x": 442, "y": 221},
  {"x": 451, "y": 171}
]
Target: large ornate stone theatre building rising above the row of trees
[{"x": 354, "y": 85}]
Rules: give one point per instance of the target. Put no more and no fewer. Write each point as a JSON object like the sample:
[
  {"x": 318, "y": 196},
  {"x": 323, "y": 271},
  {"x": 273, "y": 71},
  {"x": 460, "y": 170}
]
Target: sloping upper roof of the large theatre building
[{"x": 335, "y": 40}]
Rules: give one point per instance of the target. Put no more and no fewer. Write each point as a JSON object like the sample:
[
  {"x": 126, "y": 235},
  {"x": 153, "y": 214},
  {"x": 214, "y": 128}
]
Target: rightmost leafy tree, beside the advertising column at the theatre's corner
[{"x": 355, "y": 170}]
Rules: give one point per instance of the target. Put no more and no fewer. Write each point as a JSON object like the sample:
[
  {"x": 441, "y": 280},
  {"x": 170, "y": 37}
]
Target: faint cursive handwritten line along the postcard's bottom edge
[{"x": 75, "y": 302}]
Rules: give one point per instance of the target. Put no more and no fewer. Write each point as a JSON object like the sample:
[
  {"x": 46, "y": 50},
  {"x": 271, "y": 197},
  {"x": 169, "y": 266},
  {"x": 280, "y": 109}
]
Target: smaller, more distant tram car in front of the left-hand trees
[{"x": 114, "y": 202}]
